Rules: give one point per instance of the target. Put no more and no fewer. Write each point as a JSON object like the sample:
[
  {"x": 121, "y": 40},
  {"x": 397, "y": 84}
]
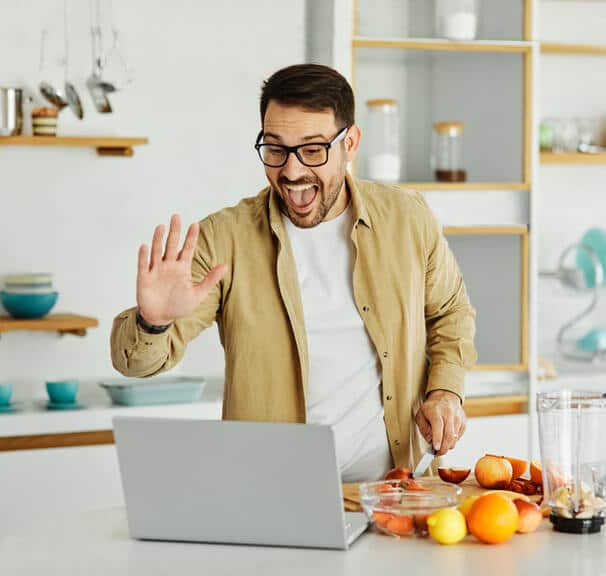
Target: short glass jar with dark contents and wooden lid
[{"x": 448, "y": 152}]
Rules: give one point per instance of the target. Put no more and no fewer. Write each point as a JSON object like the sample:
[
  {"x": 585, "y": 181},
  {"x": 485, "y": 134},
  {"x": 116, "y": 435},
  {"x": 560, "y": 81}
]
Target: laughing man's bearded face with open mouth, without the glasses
[{"x": 308, "y": 195}]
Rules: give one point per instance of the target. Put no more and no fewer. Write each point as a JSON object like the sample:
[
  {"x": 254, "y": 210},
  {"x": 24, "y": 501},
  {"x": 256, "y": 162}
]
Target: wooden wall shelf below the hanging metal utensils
[{"x": 105, "y": 145}]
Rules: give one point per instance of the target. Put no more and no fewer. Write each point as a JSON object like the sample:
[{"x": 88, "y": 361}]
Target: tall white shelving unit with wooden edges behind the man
[{"x": 387, "y": 50}]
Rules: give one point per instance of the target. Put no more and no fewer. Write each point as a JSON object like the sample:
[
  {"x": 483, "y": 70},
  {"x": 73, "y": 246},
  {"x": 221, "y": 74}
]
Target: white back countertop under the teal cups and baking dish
[{"x": 98, "y": 412}]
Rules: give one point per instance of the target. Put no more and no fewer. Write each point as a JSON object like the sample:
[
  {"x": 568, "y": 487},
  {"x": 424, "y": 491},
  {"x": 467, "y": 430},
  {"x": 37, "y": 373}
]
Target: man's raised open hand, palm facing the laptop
[{"x": 165, "y": 290}]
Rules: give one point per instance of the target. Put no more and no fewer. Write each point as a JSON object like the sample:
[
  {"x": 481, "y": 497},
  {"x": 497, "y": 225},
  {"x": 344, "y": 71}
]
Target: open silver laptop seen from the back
[{"x": 233, "y": 482}]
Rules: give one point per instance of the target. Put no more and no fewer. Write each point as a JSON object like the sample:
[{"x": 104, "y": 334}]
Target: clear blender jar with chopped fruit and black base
[{"x": 572, "y": 438}]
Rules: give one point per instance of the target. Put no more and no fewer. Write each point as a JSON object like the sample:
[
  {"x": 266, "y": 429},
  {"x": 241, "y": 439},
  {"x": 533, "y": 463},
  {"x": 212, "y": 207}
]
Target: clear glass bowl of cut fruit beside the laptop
[{"x": 399, "y": 508}]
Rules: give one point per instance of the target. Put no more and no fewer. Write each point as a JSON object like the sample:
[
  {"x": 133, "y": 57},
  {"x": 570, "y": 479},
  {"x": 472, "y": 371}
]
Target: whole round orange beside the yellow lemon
[{"x": 493, "y": 518}]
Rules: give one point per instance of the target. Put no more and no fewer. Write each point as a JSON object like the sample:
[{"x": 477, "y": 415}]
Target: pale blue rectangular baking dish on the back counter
[{"x": 163, "y": 390}]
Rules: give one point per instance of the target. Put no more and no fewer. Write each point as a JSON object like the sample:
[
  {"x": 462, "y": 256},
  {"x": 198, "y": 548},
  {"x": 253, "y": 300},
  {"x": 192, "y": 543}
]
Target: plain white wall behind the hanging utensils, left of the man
[{"x": 198, "y": 71}]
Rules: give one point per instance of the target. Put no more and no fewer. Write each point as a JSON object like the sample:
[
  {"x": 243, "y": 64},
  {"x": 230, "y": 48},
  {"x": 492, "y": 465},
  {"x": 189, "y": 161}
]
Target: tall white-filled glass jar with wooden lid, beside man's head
[{"x": 383, "y": 134}]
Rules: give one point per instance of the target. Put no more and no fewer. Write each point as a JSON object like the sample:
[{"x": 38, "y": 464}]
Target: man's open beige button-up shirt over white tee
[{"x": 407, "y": 288}]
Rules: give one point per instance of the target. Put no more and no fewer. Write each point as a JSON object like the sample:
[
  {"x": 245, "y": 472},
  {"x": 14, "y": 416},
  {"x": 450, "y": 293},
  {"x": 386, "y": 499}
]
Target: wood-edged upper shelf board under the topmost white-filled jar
[{"x": 437, "y": 44}]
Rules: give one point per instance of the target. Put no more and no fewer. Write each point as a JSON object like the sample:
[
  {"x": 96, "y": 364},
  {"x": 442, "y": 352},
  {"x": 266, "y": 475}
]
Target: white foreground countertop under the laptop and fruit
[{"x": 97, "y": 543}]
